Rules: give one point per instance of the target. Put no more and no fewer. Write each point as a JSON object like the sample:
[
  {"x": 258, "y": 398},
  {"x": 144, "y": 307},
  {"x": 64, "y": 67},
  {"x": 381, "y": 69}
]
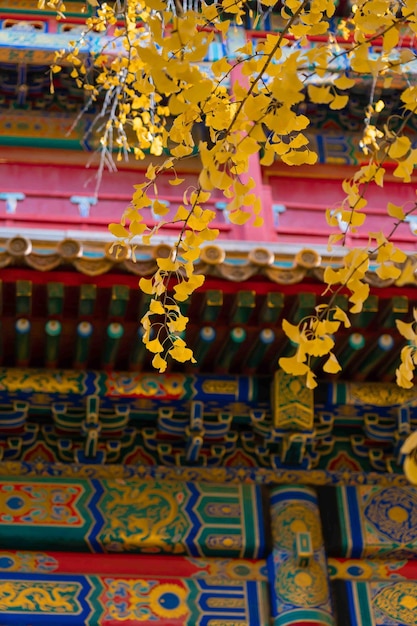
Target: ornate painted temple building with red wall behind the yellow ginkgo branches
[{"x": 223, "y": 493}]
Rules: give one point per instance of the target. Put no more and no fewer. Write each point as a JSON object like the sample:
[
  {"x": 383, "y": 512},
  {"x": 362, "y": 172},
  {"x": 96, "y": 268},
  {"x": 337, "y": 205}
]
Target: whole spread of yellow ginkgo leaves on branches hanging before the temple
[{"x": 155, "y": 86}]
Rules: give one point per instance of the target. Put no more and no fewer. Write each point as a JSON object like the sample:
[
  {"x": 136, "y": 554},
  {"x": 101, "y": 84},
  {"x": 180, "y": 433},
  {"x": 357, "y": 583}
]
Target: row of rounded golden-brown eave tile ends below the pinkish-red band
[{"x": 95, "y": 259}]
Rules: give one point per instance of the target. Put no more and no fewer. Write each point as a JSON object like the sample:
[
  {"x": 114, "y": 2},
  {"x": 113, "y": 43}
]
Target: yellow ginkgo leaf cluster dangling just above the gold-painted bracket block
[{"x": 314, "y": 339}]
